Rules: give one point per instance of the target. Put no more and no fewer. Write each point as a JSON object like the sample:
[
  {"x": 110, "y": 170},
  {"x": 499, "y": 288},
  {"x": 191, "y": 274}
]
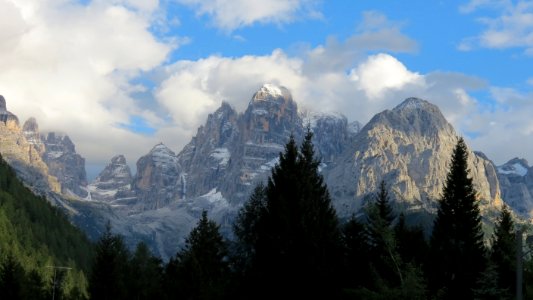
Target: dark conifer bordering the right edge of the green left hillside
[{"x": 108, "y": 276}]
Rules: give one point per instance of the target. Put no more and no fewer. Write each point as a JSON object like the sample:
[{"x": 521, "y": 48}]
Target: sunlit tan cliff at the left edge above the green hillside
[{"x": 22, "y": 155}]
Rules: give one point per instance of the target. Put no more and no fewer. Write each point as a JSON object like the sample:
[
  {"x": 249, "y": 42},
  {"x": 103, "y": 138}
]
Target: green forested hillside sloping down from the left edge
[{"x": 38, "y": 246}]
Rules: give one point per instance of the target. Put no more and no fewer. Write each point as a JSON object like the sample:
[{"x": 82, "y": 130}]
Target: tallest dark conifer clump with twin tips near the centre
[{"x": 298, "y": 241}]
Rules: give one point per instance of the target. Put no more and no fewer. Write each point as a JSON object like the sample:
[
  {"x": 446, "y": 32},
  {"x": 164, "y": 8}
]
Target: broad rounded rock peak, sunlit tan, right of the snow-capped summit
[{"x": 410, "y": 148}]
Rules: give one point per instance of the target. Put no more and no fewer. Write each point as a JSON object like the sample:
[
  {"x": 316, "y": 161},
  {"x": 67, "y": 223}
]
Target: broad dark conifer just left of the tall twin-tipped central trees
[{"x": 200, "y": 270}]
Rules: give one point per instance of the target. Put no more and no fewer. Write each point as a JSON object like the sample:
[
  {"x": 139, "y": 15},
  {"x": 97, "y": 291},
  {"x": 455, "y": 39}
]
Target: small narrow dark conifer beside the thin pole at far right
[{"x": 503, "y": 252}]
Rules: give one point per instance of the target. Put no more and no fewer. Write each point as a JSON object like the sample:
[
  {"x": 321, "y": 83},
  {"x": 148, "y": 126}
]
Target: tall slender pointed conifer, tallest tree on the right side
[{"x": 457, "y": 255}]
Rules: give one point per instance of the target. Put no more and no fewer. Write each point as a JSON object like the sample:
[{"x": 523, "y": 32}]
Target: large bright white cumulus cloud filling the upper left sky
[{"x": 71, "y": 65}]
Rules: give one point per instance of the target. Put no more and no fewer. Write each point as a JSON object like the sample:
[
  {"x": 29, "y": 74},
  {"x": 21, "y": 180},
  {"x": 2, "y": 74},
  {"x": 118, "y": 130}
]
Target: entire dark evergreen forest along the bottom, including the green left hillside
[{"x": 288, "y": 243}]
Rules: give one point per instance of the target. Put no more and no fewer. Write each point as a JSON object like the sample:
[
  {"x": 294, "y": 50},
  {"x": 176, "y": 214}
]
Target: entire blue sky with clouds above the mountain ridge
[{"x": 120, "y": 76}]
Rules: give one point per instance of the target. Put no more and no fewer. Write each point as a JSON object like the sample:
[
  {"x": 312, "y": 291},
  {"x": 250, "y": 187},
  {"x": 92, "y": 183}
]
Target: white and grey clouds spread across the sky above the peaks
[{"x": 81, "y": 66}]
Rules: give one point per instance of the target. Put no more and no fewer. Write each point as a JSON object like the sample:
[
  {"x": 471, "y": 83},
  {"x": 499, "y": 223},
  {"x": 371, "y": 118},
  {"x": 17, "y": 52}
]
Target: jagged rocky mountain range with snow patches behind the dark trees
[{"x": 408, "y": 146}]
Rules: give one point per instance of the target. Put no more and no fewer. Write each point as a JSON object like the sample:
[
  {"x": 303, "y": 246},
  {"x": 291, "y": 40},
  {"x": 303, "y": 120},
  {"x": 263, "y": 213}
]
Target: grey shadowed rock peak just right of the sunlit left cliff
[{"x": 65, "y": 164}]
